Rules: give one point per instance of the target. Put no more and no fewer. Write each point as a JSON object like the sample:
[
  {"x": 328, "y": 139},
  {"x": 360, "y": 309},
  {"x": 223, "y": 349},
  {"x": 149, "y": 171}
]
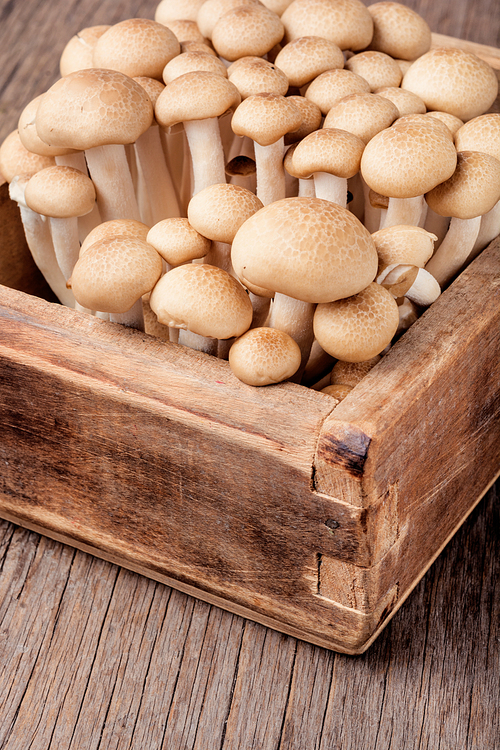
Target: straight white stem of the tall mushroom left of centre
[{"x": 207, "y": 154}]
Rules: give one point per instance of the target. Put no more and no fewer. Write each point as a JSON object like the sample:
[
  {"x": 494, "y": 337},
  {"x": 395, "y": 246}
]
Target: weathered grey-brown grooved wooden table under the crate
[{"x": 93, "y": 656}]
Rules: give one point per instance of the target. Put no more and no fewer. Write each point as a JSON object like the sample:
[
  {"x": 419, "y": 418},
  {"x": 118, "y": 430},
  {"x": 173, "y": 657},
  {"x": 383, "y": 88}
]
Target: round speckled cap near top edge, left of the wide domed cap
[{"x": 249, "y": 30}]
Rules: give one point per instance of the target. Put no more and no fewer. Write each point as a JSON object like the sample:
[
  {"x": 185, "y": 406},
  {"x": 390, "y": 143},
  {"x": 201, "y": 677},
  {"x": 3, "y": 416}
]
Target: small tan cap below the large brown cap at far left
[{"x": 60, "y": 192}]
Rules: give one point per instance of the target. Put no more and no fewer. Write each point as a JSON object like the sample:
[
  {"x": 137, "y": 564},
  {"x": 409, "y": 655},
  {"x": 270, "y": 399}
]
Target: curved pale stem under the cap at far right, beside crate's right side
[{"x": 454, "y": 250}]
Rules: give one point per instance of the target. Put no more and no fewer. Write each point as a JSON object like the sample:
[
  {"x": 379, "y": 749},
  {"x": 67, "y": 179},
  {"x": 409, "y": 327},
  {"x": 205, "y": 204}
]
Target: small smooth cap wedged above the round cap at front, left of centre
[{"x": 177, "y": 241}]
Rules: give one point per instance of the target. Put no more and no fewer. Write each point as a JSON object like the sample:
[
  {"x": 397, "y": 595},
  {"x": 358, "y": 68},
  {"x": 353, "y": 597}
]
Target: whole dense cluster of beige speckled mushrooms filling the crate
[{"x": 285, "y": 184}]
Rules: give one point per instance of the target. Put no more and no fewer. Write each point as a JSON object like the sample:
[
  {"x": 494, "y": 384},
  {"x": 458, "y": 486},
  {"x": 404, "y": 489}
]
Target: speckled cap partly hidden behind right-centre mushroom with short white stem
[{"x": 365, "y": 115}]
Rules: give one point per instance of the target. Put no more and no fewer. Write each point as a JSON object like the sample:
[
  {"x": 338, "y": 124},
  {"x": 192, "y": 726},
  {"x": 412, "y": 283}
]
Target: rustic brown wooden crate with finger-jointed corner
[{"x": 316, "y": 521}]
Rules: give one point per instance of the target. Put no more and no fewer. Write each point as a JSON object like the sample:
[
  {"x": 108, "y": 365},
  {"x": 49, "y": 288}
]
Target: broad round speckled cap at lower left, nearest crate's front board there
[{"x": 114, "y": 273}]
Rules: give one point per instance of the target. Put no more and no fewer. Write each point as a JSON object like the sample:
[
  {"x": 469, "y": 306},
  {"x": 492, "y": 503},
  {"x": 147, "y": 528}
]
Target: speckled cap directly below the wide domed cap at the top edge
[{"x": 307, "y": 57}]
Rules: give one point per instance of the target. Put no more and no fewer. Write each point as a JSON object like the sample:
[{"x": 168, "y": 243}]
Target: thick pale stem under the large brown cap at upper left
[{"x": 110, "y": 173}]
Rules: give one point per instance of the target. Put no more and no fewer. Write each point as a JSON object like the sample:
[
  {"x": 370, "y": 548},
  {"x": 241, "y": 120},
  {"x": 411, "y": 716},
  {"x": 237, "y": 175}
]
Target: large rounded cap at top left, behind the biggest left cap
[{"x": 136, "y": 47}]
